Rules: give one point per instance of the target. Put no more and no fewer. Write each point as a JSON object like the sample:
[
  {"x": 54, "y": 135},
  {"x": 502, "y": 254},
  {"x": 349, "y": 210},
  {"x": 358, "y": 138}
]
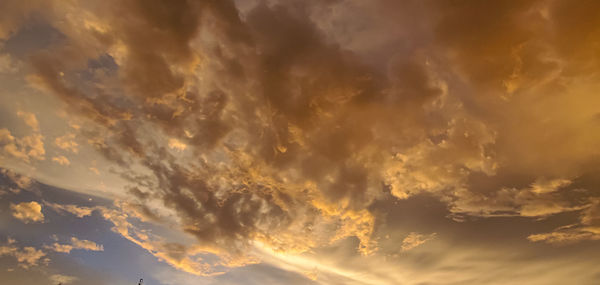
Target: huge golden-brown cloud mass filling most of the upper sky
[{"x": 294, "y": 120}]
